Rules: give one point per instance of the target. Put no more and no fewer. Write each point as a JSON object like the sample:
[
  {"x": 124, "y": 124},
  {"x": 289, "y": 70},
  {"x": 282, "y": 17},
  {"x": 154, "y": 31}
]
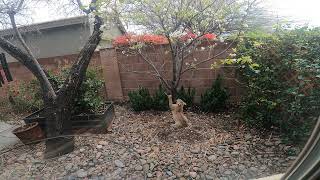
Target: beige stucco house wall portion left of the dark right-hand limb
[{"x": 53, "y": 42}]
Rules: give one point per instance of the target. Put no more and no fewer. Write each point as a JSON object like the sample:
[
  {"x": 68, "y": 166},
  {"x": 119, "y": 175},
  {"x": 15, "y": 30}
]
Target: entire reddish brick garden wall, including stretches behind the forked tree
[{"x": 120, "y": 71}]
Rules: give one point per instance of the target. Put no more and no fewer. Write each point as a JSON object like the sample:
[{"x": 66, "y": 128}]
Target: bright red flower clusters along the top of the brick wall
[{"x": 155, "y": 39}]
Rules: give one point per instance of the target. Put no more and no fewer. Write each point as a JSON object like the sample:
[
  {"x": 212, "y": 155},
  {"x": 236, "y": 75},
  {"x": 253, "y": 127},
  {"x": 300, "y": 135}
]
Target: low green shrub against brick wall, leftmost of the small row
[{"x": 140, "y": 99}]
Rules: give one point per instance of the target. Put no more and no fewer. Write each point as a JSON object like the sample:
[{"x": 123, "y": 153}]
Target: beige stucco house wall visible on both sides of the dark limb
[{"x": 64, "y": 40}]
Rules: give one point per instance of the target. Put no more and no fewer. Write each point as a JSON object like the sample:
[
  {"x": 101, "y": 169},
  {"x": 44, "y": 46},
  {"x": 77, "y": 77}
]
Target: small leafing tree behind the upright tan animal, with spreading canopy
[{"x": 174, "y": 19}]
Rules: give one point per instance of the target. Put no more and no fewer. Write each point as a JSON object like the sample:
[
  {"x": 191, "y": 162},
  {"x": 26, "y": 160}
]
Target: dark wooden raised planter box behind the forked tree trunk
[{"x": 93, "y": 123}]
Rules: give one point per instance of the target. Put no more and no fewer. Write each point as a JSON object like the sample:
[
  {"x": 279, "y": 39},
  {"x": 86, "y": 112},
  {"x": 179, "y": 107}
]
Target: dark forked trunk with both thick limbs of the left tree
[{"x": 58, "y": 109}]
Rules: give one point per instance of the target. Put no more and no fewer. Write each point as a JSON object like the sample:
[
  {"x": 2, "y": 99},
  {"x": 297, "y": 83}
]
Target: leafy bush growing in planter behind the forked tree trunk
[{"x": 27, "y": 96}]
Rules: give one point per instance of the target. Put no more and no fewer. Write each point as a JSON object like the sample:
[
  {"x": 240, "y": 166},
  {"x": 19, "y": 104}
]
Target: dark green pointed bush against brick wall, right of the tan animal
[{"x": 215, "y": 98}]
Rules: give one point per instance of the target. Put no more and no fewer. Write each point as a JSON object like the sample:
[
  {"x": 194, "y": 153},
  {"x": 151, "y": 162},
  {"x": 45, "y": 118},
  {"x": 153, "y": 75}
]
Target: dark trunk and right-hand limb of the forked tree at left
[{"x": 58, "y": 113}]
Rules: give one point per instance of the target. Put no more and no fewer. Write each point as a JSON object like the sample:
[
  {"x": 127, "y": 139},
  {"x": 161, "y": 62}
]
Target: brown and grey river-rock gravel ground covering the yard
[{"x": 145, "y": 146}]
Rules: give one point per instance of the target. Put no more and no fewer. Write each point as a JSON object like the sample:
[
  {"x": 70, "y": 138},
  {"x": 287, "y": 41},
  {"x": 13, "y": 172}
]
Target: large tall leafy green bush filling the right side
[{"x": 265, "y": 63}]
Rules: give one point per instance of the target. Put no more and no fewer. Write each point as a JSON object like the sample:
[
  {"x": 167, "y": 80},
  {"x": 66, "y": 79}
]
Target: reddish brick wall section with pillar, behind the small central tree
[{"x": 129, "y": 72}]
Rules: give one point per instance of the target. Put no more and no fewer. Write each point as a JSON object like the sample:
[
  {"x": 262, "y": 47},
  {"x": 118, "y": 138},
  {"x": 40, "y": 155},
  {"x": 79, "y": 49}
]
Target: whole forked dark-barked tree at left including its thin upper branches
[{"x": 58, "y": 103}]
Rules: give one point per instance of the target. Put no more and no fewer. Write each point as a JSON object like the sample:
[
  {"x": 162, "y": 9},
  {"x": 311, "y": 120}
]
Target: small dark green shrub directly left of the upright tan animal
[{"x": 160, "y": 100}]
